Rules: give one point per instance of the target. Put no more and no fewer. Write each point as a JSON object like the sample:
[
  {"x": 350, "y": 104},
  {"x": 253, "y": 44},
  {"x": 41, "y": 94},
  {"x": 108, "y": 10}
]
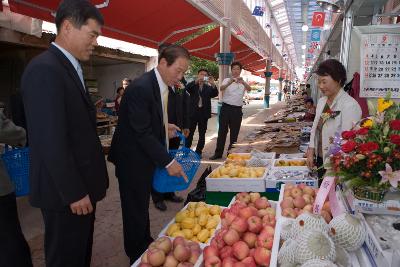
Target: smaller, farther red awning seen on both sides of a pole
[{"x": 207, "y": 45}]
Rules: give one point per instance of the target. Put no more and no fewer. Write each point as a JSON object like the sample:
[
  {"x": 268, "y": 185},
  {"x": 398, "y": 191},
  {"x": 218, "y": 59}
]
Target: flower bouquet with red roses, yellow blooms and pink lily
[{"x": 367, "y": 158}]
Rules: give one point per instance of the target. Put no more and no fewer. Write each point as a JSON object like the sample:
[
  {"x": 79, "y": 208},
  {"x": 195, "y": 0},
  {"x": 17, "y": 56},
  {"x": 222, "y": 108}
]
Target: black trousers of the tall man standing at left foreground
[{"x": 68, "y": 238}]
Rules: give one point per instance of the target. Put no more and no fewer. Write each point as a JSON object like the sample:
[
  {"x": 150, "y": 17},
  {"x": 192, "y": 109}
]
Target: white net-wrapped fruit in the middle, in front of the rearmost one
[{"x": 313, "y": 244}]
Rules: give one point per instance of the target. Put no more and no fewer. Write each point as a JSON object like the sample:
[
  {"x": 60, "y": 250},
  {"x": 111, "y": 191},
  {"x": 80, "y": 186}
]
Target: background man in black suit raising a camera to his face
[{"x": 201, "y": 91}]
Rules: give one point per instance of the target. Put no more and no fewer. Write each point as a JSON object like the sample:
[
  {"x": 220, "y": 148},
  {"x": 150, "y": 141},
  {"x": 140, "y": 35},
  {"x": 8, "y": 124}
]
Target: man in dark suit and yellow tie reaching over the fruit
[{"x": 139, "y": 144}]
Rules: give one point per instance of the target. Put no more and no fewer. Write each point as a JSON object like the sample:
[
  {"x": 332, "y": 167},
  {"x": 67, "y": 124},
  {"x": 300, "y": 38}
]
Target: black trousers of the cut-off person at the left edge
[{"x": 14, "y": 250}]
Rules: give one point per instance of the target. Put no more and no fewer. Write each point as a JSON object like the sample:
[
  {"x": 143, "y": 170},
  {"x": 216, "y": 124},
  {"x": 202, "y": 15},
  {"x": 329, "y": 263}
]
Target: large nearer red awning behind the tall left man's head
[{"x": 147, "y": 23}]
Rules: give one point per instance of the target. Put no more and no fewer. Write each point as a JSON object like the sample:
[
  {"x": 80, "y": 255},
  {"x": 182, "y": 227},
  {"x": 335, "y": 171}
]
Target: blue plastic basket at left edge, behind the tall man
[{"x": 16, "y": 161}]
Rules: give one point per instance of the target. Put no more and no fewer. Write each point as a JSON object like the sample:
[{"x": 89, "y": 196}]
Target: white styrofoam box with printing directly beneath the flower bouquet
[{"x": 391, "y": 206}]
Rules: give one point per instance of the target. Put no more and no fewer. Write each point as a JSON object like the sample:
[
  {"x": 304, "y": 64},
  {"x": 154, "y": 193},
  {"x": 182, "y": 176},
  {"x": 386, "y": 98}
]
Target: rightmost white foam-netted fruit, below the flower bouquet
[{"x": 347, "y": 231}]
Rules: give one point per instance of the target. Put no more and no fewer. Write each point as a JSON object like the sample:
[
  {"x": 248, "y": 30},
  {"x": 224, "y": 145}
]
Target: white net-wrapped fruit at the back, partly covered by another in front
[{"x": 308, "y": 221}]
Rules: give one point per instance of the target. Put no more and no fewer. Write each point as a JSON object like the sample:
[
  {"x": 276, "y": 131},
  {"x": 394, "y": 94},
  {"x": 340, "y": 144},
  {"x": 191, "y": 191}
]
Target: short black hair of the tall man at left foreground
[{"x": 78, "y": 12}]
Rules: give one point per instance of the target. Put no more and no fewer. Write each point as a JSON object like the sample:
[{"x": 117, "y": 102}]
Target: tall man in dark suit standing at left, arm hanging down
[{"x": 68, "y": 173}]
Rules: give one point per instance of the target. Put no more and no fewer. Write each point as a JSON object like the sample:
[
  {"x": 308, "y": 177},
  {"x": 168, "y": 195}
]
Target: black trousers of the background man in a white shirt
[{"x": 230, "y": 118}]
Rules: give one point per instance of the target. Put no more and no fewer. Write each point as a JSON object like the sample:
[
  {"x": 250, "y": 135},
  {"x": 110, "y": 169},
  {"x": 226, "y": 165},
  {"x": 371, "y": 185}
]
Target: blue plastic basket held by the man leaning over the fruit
[{"x": 190, "y": 162}]
